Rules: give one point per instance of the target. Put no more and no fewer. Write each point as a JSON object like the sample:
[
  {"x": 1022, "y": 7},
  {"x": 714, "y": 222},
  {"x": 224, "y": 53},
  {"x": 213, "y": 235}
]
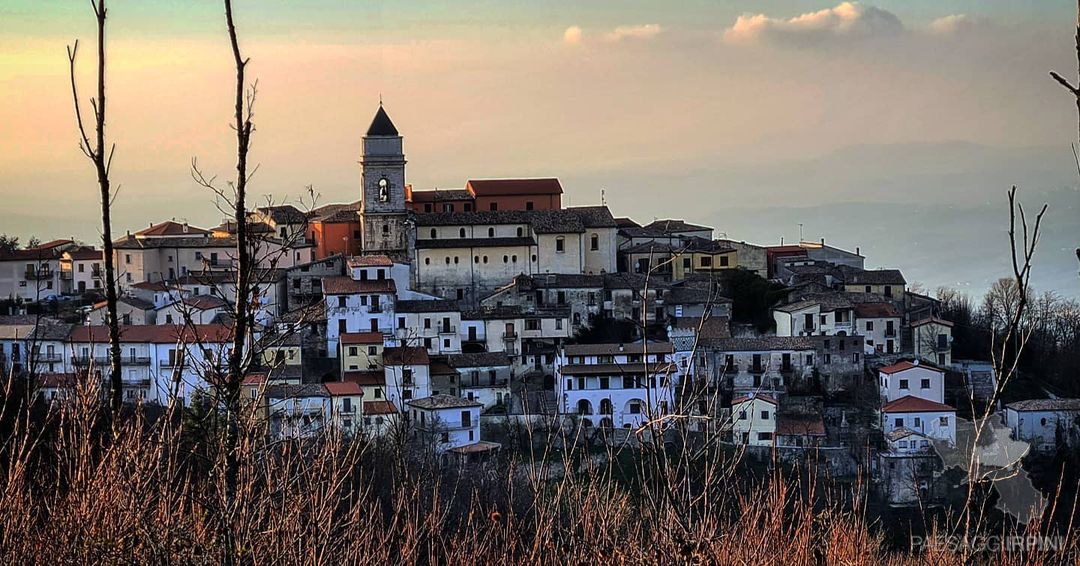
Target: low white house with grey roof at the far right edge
[{"x": 1044, "y": 423}]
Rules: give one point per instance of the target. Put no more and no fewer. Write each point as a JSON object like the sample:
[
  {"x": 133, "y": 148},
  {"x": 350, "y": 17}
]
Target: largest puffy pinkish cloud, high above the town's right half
[{"x": 847, "y": 20}]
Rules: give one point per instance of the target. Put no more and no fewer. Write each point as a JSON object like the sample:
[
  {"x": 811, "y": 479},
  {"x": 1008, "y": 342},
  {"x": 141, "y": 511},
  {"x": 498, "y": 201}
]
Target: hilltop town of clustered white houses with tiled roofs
[{"x": 451, "y": 314}]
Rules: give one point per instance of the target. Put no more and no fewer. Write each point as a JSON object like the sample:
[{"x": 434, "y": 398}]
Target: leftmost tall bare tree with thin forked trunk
[{"x": 103, "y": 164}]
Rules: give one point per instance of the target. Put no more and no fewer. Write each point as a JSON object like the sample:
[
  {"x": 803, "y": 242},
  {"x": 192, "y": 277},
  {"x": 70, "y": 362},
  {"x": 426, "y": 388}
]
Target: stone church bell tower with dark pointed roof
[{"x": 384, "y": 214}]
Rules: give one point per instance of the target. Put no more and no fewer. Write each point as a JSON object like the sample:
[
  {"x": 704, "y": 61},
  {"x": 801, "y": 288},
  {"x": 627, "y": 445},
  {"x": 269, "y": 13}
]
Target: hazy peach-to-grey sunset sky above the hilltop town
[{"x": 874, "y": 125}]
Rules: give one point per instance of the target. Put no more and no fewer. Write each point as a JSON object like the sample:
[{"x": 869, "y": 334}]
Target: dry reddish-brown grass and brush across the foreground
[{"x": 79, "y": 491}]
